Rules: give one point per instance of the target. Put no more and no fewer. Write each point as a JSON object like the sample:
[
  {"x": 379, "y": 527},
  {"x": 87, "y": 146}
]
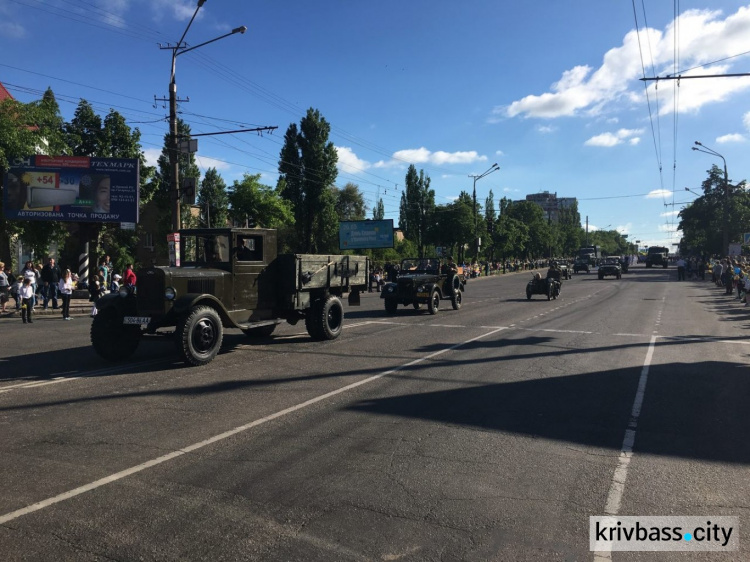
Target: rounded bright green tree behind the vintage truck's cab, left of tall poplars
[{"x": 253, "y": 203}]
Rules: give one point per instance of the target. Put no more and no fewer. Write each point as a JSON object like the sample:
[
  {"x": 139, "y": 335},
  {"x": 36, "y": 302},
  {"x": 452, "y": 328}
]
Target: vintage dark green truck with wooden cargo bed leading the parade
[{"x": 228, "y": 278}]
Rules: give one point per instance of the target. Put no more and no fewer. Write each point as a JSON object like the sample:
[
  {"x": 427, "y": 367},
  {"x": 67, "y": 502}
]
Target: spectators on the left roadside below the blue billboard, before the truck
[{"x": 48, "y": 284}]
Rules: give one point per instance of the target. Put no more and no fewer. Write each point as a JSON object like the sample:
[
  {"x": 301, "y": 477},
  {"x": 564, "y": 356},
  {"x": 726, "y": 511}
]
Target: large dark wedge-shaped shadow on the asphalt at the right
[{"x": 691, "y": 410}]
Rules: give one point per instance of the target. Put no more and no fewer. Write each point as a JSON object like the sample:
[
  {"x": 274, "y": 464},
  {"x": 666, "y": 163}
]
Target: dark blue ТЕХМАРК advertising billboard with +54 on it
[{"x": 72, "y": 189}]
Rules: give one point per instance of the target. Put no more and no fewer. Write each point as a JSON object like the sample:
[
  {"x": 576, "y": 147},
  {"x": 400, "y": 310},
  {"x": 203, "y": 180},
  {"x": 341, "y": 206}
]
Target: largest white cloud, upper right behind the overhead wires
[{"x": 703, "y": 37}]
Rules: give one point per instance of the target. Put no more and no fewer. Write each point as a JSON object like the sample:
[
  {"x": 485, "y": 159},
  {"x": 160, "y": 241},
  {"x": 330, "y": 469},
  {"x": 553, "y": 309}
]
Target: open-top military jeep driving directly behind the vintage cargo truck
[{"x": 421, "y": 281}]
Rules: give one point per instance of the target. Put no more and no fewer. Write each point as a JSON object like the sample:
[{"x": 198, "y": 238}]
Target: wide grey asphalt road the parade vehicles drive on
[{"x": 489, "y": 433}]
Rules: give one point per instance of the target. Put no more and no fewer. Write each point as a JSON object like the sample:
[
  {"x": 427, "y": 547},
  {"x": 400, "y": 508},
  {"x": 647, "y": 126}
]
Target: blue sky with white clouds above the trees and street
[{"x": 549, "y": 90}]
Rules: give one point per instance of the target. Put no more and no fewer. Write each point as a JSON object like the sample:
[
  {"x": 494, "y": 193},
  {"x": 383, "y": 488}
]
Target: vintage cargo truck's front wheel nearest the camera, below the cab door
[{"x": 198, "y": 336}]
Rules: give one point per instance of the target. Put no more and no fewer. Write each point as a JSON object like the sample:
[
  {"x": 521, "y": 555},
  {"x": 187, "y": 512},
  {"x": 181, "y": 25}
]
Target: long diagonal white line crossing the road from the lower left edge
[{"x": 222, "y": 436}]
